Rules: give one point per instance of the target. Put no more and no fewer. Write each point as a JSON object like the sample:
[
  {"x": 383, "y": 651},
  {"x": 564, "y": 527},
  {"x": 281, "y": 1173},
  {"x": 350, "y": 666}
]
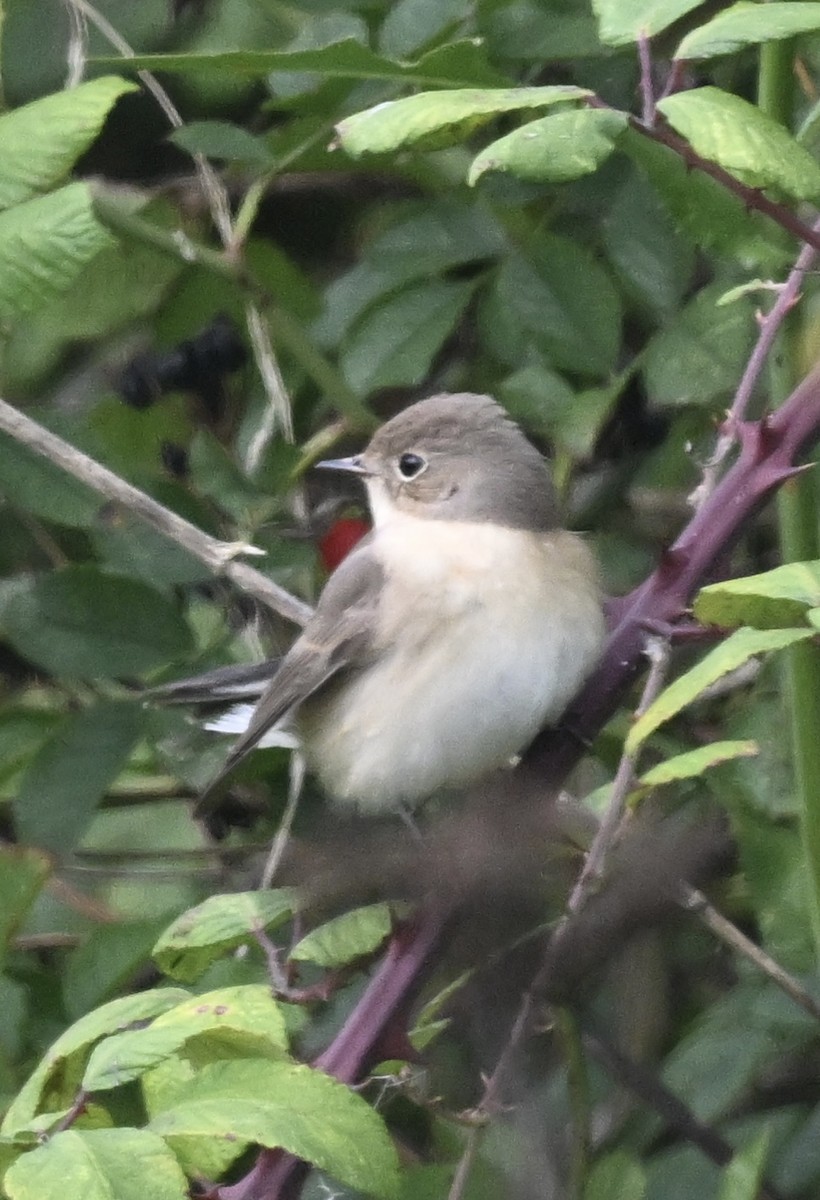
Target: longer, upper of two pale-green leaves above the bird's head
[{"x": 435, "y": 119}]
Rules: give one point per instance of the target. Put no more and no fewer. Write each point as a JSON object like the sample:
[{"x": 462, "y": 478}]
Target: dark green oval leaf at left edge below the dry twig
[{"x": 85, "y": 623}]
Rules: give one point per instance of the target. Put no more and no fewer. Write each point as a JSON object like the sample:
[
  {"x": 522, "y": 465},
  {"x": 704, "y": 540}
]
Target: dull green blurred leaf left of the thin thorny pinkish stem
[{"x": 701, "y": 355}]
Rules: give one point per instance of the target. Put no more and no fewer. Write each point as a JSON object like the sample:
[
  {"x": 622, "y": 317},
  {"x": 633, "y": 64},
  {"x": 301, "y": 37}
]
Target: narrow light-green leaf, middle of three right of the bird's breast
[{"x": 739, "y": 649}]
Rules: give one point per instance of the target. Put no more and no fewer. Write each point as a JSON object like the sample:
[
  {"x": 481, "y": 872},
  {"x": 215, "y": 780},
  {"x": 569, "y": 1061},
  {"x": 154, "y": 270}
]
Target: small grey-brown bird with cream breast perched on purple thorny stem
[{"x": 460, "y": 627}]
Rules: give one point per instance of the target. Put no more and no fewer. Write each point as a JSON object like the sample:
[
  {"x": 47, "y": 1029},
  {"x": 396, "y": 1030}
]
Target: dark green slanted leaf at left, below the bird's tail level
[{"x": 64, "y": 784}]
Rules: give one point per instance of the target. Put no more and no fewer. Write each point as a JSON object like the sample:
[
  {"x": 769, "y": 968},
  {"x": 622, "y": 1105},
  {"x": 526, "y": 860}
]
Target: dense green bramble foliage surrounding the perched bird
[{"x": 243, "y": 249}]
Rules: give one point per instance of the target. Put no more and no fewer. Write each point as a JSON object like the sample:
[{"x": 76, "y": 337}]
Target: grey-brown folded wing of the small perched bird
[{"x": 339, "y": 635}]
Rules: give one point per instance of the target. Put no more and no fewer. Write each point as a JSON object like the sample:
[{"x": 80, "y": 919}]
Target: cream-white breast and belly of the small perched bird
[{"x": 483, "y": 637}]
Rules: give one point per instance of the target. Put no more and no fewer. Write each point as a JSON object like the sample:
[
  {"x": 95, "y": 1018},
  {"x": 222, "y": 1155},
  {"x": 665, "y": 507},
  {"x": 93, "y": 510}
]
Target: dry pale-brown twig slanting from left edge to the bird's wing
[{"x": 218, "y": 556}]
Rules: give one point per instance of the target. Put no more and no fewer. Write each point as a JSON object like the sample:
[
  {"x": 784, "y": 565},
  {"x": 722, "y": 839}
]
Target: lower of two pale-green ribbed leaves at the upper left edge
[{"x": 45, "y": 244}]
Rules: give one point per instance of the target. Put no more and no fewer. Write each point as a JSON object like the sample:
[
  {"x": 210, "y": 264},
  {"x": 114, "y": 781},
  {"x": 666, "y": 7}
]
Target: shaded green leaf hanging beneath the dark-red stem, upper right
[{"x": 704, "y": 211}]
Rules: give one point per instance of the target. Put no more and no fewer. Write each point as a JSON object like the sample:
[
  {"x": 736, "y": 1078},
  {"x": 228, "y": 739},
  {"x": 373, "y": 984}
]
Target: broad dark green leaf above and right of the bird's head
[{"x": 559, "y": 299}]
